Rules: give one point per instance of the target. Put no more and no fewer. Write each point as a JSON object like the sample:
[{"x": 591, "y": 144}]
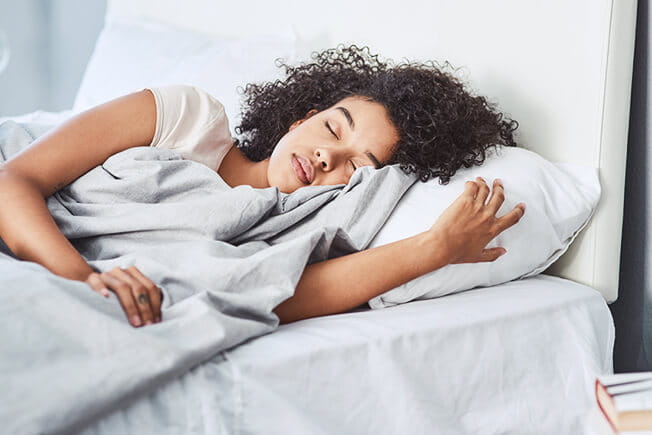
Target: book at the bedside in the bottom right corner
[{"x": 625, "y": 399}]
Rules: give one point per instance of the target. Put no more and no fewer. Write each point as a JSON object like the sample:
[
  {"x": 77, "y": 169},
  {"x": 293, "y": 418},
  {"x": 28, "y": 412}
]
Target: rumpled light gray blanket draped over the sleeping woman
[{"x": 224, "y": 258}]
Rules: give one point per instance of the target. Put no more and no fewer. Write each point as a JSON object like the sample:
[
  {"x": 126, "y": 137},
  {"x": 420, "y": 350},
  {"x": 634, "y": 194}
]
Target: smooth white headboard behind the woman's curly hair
[{"x": 561, "y": 68}]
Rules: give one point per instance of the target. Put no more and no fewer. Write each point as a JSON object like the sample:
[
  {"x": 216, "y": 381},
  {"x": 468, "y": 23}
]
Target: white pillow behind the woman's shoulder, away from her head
[{"x": 133, "y": 54}]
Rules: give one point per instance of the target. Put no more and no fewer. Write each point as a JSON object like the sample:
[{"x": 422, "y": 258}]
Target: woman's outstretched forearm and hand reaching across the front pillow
[{"x": 459, "y": 236}]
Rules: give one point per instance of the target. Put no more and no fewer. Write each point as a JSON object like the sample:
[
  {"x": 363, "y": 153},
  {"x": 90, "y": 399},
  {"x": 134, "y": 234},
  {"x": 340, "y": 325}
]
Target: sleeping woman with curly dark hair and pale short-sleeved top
[{"x": 344, "y": 110}]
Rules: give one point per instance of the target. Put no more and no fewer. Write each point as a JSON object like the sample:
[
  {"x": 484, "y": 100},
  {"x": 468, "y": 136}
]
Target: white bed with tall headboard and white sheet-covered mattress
[{"x": 519, "y": 357}]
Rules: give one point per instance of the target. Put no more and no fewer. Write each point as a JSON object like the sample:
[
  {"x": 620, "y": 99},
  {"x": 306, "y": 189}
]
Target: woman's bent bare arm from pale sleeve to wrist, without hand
[{"x": 54, "y": 161}]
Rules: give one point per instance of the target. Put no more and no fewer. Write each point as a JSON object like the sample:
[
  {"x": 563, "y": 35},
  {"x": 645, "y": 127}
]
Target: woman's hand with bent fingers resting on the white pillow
[{"x": 470, "y": 223}]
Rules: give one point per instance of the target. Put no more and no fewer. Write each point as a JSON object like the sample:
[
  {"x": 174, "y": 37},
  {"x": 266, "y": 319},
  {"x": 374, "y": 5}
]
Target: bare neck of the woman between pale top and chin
[{"x": 236, "y": 169}]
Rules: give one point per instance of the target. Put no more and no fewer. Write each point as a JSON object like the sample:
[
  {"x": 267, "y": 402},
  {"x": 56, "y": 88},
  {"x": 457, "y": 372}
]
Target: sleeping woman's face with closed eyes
[{"x": 326, "y": 147}]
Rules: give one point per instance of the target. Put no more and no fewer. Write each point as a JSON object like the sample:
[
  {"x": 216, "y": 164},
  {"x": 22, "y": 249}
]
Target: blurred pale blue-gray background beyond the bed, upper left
[{"x": 50, "y": 42}]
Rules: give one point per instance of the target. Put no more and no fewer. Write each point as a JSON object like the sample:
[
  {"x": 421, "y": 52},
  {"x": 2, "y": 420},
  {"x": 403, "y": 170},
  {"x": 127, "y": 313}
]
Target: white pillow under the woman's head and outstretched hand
[{"x": 559, "y": 198}]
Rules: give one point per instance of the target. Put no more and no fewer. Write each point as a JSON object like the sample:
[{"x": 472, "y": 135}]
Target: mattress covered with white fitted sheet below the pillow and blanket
[{"x": 515, "y": 358}]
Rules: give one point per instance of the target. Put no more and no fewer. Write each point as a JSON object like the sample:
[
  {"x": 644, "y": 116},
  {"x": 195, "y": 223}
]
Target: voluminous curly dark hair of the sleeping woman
[{"x": 441, "y": 125}]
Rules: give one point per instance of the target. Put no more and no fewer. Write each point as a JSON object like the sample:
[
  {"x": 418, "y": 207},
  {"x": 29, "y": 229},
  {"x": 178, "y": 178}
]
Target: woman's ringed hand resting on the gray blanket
[{"x": 139, "y": 296}]
